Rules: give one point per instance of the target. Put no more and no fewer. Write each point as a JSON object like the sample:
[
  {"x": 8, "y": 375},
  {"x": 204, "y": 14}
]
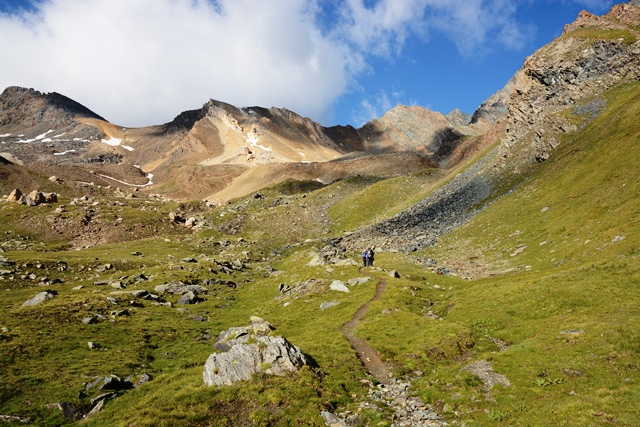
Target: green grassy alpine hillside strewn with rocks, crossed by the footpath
[{"x": 551, "y": 307}]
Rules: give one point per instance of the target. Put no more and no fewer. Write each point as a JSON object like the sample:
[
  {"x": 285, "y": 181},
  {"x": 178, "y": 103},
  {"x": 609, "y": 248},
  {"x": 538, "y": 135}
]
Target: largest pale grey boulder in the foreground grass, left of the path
[{"x": 250, "y": 350}]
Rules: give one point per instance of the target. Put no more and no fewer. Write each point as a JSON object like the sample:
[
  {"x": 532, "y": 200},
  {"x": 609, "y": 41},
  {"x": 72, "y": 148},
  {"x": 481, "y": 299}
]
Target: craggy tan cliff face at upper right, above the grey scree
[{"x": 593, "y": 55}]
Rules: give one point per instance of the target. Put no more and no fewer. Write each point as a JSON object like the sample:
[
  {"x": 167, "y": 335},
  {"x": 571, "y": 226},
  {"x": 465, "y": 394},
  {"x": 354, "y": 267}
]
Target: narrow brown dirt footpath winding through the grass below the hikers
[{"x": 367, "y": 354}]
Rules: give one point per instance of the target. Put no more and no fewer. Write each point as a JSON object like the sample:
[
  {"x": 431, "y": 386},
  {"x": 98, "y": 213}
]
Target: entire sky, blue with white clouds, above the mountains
[{"x": 339, "y": 62}]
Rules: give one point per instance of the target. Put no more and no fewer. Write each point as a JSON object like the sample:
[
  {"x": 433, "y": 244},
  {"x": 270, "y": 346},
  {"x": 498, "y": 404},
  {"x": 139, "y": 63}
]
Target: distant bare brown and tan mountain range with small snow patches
[{"x": 218, "y": 146}]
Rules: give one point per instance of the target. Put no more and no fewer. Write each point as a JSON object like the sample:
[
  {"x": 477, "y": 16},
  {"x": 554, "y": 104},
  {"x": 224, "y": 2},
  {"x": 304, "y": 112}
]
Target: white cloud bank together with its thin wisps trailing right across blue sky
[{"x": 142, "y": 62}]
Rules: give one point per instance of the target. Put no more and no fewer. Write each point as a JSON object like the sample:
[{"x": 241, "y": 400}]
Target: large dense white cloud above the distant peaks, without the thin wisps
[{"x": 142, "y": 62}]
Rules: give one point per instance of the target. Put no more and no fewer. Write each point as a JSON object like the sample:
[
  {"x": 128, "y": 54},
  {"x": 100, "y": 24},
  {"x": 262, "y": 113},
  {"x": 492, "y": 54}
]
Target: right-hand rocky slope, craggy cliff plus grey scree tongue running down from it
[{"x": 542, "y": 102}]
